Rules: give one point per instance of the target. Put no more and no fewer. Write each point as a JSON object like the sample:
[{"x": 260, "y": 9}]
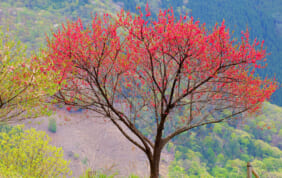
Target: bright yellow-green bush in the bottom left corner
[{"x": 28, "y": 154}]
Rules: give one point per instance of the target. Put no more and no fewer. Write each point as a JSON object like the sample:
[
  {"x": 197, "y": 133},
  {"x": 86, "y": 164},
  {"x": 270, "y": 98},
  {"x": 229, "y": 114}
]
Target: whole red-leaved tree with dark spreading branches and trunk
[{"x": 165, "y": 75}]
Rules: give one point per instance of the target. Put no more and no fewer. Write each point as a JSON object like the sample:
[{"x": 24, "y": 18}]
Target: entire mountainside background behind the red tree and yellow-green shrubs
[{"x": 220, "y": 150}]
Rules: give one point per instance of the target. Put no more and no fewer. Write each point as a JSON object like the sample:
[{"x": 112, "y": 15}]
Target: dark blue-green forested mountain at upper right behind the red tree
[{"x": 262, "y": 18}]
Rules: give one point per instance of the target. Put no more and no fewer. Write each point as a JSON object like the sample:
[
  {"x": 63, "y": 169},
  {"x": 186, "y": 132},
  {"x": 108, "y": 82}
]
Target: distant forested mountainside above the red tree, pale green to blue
[{"x": 34, "y": 19}]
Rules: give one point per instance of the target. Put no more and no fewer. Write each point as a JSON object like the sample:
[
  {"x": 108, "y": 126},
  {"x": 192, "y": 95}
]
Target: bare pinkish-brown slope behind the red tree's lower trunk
[{"x": 89, "y": 141}]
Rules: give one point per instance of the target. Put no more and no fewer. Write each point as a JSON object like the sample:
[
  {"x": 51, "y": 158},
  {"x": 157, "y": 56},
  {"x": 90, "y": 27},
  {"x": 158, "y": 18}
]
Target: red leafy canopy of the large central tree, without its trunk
[{"x": 157, "y": 55}]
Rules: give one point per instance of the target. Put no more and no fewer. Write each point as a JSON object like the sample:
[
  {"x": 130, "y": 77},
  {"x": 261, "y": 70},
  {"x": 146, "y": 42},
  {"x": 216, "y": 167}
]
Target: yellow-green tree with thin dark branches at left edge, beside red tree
[{"x": 23, "y": 87}]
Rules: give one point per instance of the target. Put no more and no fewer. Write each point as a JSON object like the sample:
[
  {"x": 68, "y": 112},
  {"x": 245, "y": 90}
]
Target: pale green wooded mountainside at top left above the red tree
[{"x": 33, "y": 19}]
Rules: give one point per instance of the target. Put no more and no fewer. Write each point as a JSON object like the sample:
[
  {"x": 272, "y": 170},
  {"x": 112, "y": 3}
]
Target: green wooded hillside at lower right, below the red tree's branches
[{"x": 223, "y": 150}]
